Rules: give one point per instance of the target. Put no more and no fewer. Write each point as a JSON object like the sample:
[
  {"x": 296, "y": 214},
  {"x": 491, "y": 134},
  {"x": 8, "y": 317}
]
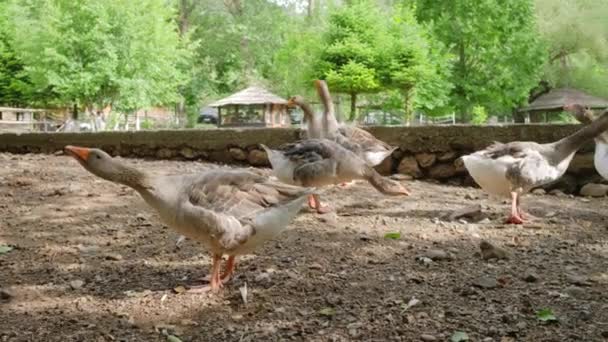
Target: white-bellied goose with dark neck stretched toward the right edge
[{"x": 514, "y": 168}]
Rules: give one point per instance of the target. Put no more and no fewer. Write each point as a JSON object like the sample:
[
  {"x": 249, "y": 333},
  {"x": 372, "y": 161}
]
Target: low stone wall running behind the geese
[{"x": 424, "y": 152}]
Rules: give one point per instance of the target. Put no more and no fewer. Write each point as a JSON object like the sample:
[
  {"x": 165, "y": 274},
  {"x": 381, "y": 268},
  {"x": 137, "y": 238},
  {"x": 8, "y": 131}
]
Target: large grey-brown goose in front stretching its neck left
[{"x": 229, "y": 212}]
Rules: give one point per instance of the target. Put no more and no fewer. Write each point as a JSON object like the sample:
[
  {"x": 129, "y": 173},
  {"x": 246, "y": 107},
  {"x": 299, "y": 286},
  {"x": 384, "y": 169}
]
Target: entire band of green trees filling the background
[{"x": 435, "y": 57}]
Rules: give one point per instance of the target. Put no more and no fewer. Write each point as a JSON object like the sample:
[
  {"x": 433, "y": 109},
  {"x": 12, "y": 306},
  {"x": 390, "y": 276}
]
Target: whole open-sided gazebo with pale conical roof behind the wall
[{"x": 252, "y": 107}]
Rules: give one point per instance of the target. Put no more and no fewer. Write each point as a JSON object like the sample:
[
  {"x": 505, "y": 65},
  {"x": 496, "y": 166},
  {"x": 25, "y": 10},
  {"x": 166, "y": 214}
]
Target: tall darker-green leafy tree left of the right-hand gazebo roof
[{"x": 499, "y": 55}]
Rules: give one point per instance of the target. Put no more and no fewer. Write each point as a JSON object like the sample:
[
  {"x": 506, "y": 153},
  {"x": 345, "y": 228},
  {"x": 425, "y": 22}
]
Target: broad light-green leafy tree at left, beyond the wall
[{"x": 93, "y": 53}]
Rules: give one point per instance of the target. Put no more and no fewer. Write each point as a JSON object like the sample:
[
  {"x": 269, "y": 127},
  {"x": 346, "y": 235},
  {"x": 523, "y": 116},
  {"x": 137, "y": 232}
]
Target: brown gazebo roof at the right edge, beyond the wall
[{"x": 557, "y": 98}]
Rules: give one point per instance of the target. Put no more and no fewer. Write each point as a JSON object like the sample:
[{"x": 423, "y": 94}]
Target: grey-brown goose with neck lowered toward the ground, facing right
[{"x": 320, "y": 162}]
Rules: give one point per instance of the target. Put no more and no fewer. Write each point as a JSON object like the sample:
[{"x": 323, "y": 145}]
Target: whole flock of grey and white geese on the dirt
[{"x": 233, "y": 212}]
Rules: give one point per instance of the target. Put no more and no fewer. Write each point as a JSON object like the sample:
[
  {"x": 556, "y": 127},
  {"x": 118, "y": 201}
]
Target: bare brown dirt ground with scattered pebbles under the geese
[{"x": 91, "y": 262}]
